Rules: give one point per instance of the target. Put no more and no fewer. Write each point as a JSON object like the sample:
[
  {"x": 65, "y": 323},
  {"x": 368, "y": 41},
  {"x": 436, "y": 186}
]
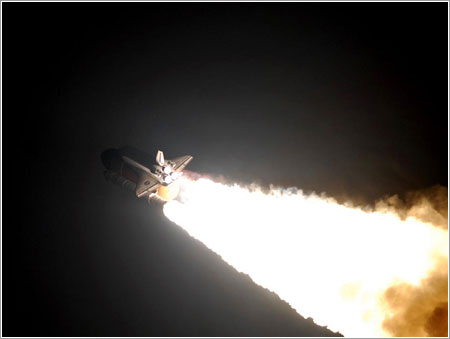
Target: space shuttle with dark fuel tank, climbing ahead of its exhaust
[{"x": 160, "y": 184}]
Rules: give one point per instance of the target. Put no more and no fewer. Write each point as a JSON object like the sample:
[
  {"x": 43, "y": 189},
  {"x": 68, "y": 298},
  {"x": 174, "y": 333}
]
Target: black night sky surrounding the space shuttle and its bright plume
[{"x": 344, "y": 98}]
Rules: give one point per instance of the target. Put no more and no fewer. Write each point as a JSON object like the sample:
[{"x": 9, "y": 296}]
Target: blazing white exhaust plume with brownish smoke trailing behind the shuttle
[{"x": 366, "y": 272}]
